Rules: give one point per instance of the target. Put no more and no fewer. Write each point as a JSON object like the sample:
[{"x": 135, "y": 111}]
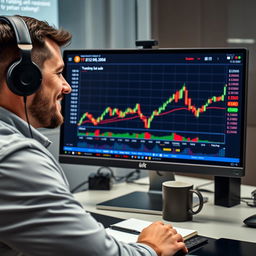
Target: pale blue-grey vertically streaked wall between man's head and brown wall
[{"x": 105, "y": 23}]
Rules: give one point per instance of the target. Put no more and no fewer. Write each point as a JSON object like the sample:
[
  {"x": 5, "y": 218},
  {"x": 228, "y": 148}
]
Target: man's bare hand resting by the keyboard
[{"x": 162, "y": 238}]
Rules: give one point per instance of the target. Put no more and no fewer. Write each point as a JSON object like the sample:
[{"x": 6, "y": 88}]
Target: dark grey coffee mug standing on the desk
[{"x": 177, "y": 201}]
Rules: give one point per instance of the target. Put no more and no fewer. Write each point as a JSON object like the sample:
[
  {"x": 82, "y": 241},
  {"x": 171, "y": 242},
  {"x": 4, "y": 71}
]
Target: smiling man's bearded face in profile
[{"x": 45, "y": 107}]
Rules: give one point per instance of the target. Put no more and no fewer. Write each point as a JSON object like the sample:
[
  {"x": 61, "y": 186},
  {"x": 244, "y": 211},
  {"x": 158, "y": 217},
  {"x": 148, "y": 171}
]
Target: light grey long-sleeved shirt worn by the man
[{"x": 38, "y": 214}]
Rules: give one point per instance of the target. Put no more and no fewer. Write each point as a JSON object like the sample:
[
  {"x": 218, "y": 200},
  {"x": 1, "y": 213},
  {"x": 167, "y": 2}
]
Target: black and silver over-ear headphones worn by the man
[{"x": 23, "y": 76}]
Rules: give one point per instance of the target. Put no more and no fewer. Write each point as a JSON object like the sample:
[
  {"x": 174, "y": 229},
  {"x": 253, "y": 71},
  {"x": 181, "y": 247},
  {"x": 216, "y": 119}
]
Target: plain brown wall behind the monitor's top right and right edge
[{"x": 200, "y": 23}]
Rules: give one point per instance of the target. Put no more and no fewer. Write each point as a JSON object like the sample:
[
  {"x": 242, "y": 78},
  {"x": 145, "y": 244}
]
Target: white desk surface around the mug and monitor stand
[{"x": 213, "y": 221}]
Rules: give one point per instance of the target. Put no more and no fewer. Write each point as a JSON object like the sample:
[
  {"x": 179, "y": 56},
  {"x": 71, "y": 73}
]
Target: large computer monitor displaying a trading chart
[{"x": 173, "y": 110}]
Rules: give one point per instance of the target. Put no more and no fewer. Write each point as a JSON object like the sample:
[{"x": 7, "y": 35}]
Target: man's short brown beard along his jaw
[{"x": 39, "y": 109}]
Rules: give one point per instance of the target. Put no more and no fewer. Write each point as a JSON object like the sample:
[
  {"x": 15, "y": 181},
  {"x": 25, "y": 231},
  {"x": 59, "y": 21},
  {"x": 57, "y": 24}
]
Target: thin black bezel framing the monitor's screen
[{"x": 216, "y": 170}]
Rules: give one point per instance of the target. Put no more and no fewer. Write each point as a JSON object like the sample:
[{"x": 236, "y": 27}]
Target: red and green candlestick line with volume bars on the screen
[{"x": 179, "y": 101}]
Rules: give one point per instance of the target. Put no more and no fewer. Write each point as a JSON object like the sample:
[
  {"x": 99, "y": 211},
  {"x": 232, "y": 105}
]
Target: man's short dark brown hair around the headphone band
[{"x": 39, "y": 31}]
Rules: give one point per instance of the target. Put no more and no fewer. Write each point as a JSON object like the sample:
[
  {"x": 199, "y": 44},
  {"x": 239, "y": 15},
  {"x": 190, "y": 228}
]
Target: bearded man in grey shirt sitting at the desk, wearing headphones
[{"x": 38, "y": 214}]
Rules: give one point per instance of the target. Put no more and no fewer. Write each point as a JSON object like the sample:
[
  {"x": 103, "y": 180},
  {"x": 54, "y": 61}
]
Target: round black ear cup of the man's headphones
[{"x": 24, "y": 78}]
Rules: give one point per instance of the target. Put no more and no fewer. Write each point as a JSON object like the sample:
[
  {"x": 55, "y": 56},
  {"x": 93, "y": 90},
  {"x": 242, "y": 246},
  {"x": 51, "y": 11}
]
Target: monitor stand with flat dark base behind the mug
[{"x": 143, "y": 202}]
